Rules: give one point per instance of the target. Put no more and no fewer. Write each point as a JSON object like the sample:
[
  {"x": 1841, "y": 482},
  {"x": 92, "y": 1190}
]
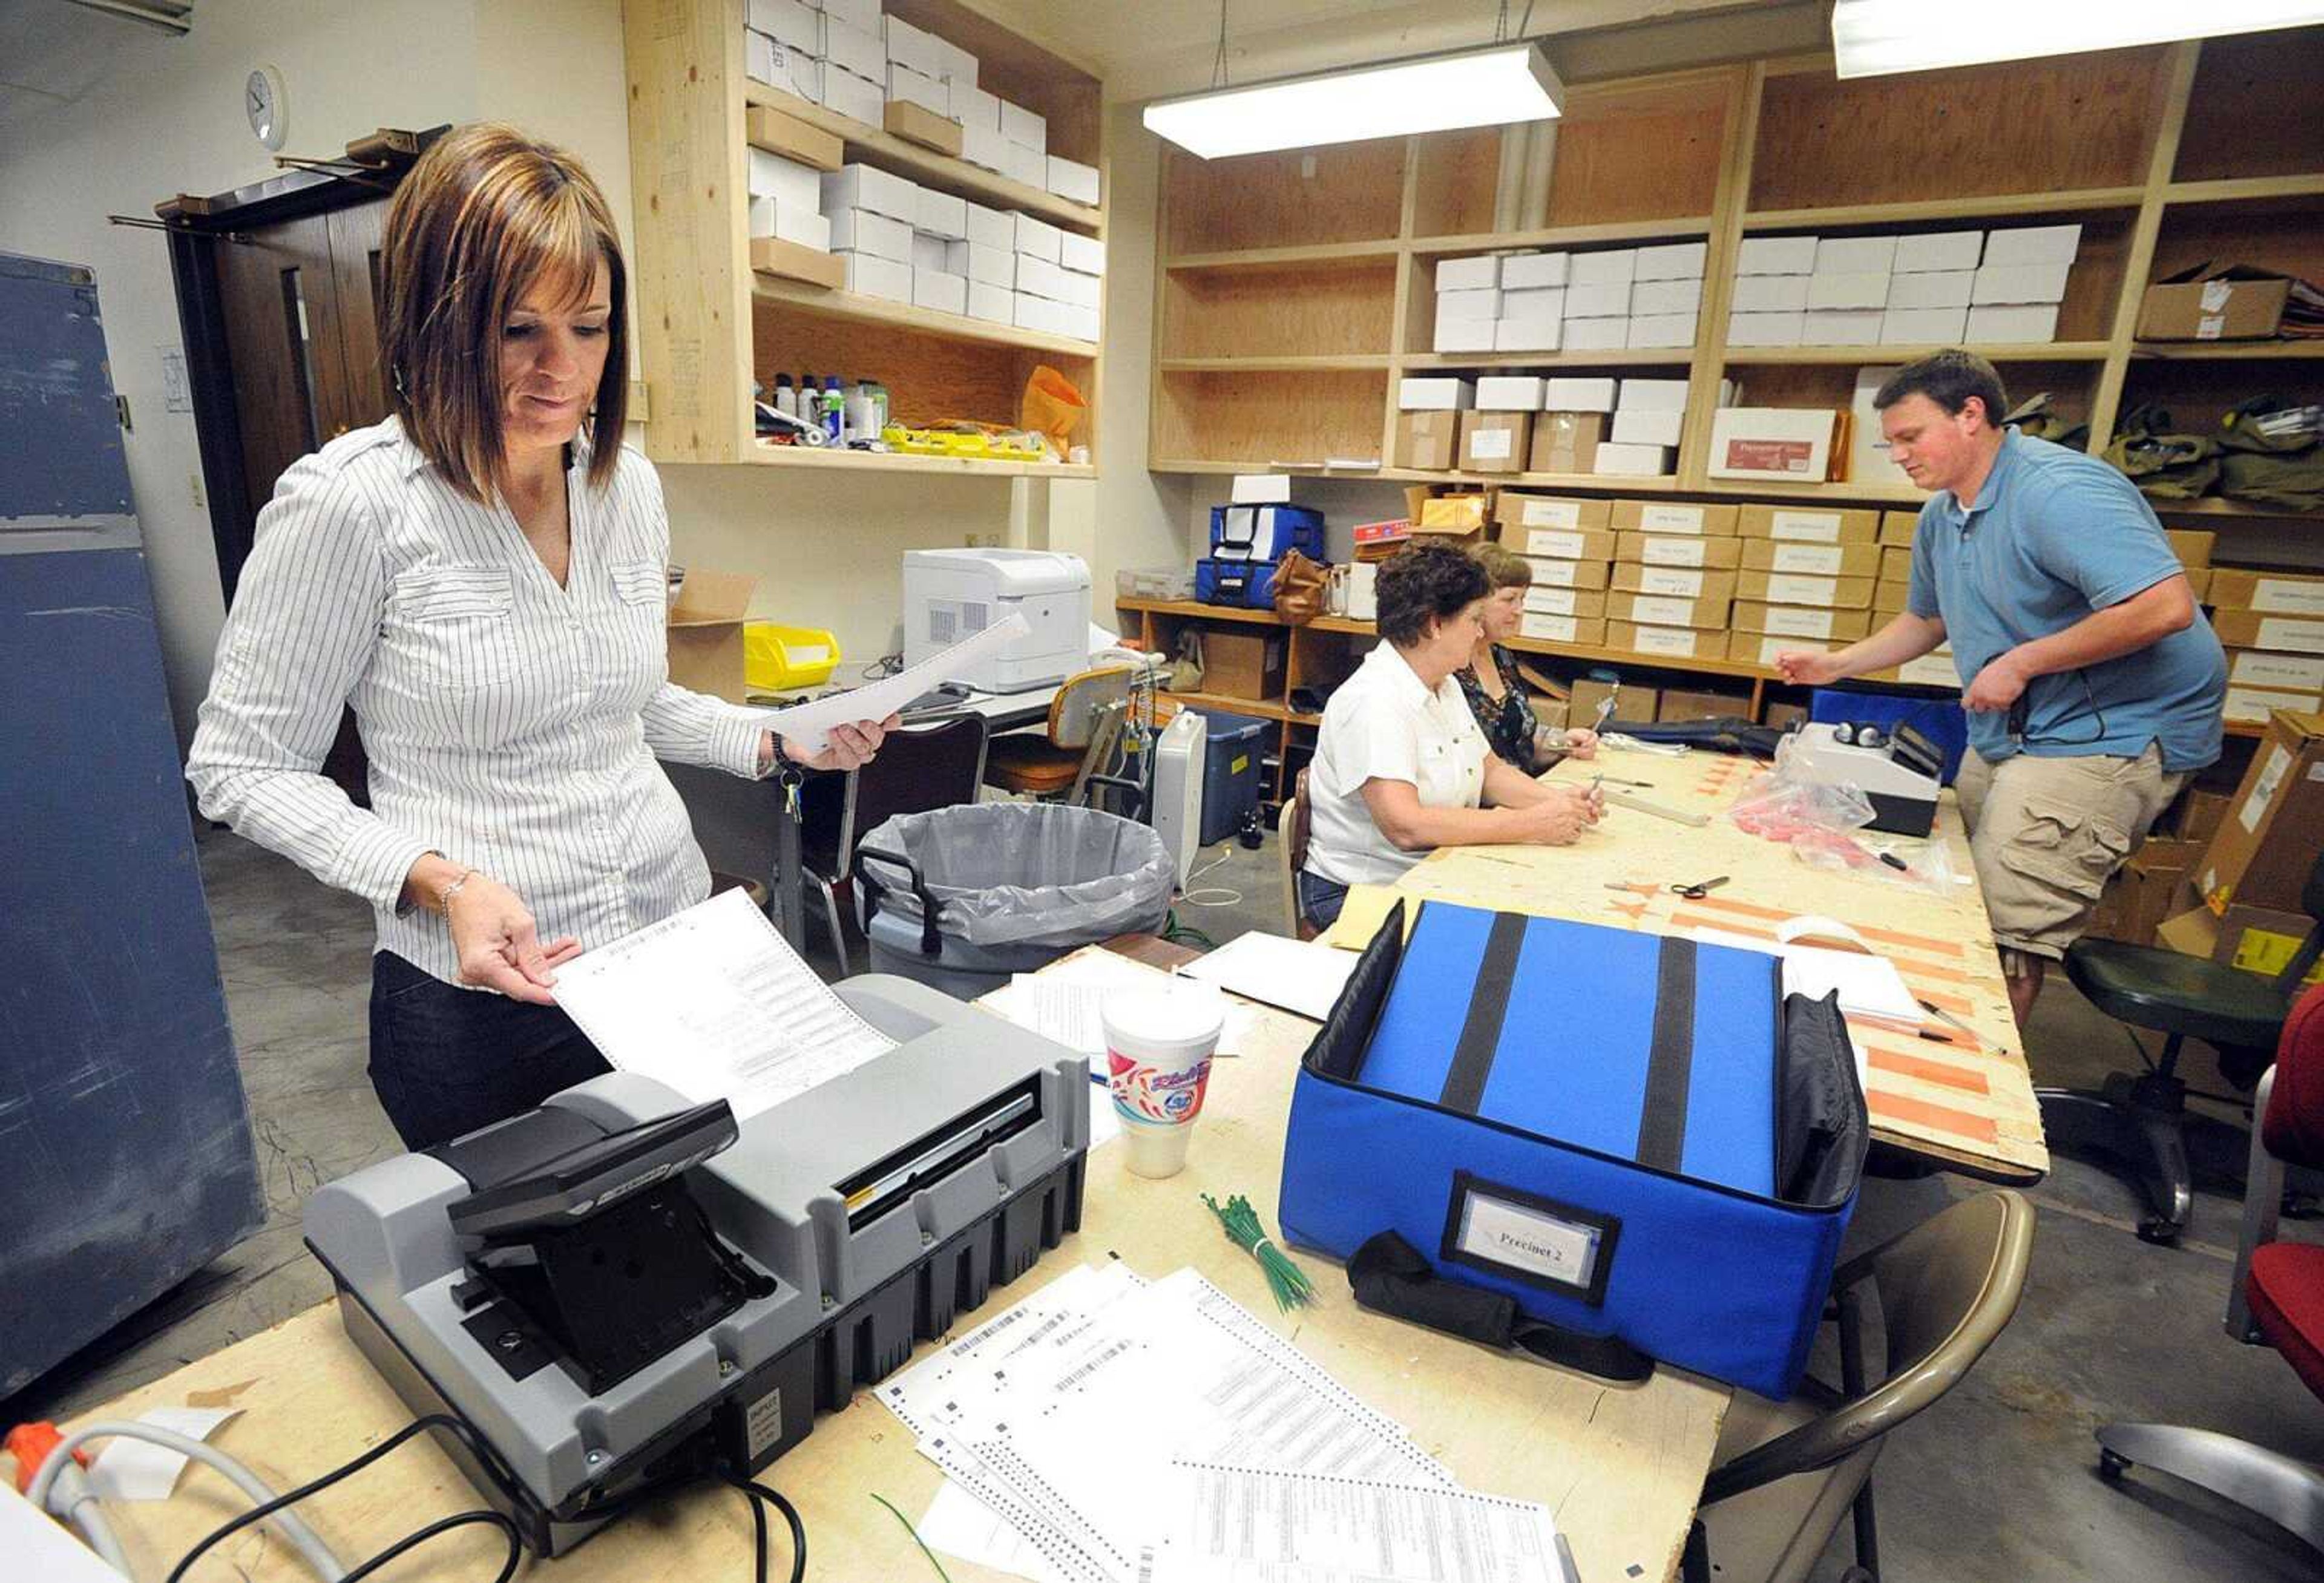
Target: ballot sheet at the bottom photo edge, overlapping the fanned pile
[{"x": 1242, "y": 1526}]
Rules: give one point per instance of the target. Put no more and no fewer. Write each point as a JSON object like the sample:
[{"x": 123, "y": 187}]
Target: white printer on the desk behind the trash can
[{"x": 954, "y": 594}]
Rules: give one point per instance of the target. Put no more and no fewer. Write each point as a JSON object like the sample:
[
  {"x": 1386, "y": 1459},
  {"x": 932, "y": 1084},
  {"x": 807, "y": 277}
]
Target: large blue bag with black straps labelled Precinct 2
[{"x": 1637, "y": 1140}]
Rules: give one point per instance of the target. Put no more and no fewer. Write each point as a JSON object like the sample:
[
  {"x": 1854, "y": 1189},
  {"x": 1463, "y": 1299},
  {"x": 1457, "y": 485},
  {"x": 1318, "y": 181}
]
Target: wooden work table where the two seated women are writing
[{"x": 1965, "y": 1103}]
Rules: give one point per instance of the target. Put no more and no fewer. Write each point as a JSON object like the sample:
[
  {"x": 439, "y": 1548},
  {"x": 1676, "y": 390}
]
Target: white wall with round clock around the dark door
[{"x": 168, "y": 120}]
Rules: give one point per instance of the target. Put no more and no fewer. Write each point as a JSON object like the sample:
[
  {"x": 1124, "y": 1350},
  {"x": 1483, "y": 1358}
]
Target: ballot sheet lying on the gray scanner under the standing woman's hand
[{"x": 719, "y": 1008}]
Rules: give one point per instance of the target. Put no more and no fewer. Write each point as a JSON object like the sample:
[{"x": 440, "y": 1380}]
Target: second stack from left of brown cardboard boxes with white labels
[{"x": 1674, "y": 578}]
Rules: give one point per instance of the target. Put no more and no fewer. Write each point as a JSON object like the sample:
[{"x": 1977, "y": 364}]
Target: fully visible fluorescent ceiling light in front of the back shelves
[{"x": 1482, "y": 87}]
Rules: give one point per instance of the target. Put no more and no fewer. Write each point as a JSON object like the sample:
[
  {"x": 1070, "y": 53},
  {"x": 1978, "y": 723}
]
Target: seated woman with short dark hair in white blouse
[{"x": 1400, "y": 764}]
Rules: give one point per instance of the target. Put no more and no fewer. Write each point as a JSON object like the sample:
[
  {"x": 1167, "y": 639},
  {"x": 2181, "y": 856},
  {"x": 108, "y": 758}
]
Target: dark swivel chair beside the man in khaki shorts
[{"x": 2142, "y": 1122}]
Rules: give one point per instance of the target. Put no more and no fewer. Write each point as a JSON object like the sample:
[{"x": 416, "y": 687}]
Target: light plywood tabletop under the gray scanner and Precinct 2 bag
[{"x": 1621, "y": 1466}]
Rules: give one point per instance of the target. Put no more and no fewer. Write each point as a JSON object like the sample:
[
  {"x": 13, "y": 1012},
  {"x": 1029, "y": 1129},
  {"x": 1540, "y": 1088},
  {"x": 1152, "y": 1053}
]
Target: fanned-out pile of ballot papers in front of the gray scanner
[{"x": 1066, "y": 1414}]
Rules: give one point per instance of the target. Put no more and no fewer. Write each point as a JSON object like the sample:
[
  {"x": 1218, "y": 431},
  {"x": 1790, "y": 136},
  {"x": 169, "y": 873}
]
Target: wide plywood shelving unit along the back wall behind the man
[{"x": 1333, "y": 252}]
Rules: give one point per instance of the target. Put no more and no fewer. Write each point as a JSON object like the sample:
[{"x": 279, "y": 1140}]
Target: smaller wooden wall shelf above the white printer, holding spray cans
[{"x": 710, "y": 322}]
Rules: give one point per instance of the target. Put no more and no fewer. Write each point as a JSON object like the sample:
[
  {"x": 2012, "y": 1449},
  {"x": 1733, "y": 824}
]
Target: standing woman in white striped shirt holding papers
[{"x": 485, "y": 580}]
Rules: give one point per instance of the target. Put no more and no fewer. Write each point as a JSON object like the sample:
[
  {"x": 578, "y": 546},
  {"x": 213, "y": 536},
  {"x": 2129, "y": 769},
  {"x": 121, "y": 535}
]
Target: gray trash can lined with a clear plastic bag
[{"x": 961, "y": 898}]
